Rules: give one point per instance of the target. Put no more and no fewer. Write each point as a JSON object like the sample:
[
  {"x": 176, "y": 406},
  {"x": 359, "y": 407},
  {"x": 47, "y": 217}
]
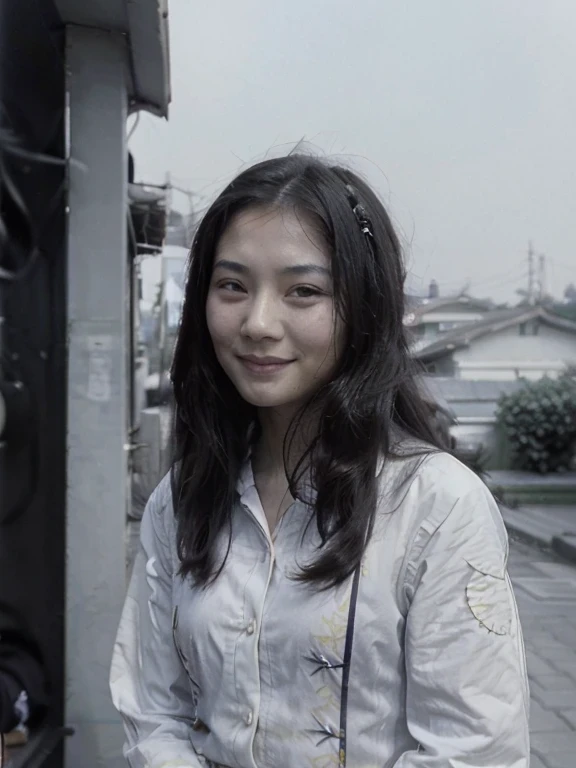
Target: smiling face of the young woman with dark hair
[{"x": 270, "y": 309}]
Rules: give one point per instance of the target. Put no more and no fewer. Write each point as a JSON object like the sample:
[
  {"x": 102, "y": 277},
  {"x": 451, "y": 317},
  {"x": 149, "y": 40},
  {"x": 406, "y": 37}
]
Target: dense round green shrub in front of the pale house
[{"x": 540, "y": 423}]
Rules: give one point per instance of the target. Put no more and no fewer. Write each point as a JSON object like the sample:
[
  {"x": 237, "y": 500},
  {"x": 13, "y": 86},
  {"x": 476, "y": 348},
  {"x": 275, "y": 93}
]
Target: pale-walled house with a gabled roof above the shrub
[{"x": 523, "y": 342}]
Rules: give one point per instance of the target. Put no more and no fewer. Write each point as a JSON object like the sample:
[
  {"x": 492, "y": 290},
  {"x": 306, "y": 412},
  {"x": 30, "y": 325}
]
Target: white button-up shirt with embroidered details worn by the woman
[{"x": 245, "y": 673}]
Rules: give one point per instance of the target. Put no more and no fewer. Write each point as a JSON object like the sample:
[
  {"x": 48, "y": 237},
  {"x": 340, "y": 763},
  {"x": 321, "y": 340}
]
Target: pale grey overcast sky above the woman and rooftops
[{"x": 461, "y": 112}]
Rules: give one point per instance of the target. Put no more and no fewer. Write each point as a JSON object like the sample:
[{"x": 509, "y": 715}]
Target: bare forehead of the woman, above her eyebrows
[{"x": 271, "y": 235}]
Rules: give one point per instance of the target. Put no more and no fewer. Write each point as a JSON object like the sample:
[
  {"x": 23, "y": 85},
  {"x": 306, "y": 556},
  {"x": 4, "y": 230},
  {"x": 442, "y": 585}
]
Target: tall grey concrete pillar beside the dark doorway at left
[{"x": 97, "y": 305}]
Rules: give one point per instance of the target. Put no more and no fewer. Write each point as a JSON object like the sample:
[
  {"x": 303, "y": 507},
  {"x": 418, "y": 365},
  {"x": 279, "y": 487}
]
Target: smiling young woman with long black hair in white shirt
[{"x": 318, "y": 584}]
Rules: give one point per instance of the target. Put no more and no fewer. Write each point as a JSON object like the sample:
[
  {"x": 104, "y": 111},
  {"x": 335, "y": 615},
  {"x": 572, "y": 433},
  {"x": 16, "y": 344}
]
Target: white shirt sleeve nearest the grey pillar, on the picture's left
[{"x": 149, "y": 684}]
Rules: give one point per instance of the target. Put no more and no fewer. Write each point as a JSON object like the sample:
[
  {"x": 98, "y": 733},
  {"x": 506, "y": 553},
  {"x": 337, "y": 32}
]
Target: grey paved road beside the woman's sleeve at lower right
[{"x": 546, "y": 593}]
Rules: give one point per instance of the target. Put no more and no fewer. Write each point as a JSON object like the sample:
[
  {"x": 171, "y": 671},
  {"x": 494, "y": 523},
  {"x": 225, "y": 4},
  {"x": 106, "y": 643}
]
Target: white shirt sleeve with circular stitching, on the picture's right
[{"x": 467, "y": 701}]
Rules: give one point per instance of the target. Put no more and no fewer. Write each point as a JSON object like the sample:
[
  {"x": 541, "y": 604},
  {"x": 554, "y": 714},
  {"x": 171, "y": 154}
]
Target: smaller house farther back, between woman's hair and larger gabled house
[{"x": 429, "y": 318}]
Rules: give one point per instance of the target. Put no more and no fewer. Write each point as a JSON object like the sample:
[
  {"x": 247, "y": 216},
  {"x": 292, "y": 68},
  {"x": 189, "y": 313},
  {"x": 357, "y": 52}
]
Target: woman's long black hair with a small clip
[{"x": 372, "y": 391}]
